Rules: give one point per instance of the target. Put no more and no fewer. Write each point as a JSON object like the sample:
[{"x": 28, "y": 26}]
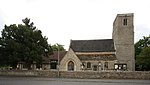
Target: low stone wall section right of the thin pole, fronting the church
[{"x": 107, "y": 75}]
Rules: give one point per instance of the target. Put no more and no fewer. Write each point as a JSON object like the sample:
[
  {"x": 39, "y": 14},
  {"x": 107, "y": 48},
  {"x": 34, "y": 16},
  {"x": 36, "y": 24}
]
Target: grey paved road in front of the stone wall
[{"x": 56, "y": 81}]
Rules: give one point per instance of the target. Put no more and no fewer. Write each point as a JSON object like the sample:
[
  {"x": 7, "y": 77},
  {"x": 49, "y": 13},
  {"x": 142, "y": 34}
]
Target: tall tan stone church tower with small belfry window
[{"x": 123, "y": 36}]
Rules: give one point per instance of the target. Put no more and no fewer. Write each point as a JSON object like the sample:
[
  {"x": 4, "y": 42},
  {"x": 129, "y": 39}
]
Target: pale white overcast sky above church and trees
[{"x": 64, "y": 20}]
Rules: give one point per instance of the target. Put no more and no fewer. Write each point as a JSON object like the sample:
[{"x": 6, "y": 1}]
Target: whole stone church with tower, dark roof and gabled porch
[{"x": 104, "y": 54}]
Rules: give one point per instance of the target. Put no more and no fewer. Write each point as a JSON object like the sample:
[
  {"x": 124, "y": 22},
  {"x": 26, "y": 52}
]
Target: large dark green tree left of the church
[{"x": 23, "y": 42}]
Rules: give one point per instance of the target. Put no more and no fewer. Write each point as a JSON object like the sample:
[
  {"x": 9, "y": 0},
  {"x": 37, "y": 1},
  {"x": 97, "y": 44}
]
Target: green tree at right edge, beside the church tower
[{"x": 142, "y": 54}]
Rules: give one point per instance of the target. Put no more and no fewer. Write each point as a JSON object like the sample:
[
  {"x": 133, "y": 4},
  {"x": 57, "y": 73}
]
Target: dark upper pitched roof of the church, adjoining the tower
[{"x": 104, "y": 45}]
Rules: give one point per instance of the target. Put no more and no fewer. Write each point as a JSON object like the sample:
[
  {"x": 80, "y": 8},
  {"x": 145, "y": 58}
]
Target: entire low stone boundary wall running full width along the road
[{"x": 84, "y": 75}]
